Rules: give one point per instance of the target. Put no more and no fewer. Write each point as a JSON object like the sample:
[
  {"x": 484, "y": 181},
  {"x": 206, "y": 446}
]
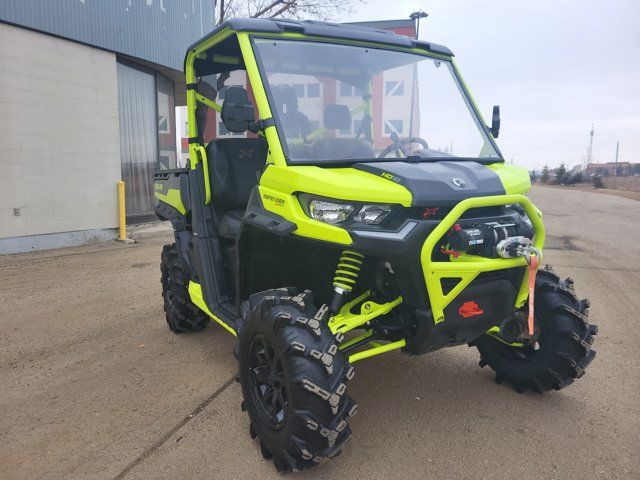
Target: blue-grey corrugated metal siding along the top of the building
[{"x": 158, "y": 31}]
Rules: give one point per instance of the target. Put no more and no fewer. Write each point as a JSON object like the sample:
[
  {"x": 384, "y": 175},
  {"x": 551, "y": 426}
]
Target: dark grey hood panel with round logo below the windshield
[{"x": 441, "y": 183}]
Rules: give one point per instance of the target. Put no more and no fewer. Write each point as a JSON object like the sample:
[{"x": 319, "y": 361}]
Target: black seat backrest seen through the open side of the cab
[{"x": 234, "y": 165}]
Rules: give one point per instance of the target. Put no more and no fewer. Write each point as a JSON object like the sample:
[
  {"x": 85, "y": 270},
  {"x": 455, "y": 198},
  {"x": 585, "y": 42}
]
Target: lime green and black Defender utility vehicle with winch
[{"x": 344, "y": 198}]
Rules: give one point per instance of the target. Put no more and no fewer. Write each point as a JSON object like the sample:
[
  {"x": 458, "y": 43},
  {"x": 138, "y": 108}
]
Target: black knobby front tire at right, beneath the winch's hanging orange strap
[{"x": 561, "y": 348}]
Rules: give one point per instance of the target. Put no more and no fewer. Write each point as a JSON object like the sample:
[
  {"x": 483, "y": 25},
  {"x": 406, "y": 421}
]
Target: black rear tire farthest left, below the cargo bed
[{"x": 182, "y": 315}]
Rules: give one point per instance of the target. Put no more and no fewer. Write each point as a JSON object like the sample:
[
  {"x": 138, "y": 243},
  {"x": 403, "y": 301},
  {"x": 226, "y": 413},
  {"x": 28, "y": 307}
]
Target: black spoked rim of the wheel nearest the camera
[{"x": 267, "y": 382}]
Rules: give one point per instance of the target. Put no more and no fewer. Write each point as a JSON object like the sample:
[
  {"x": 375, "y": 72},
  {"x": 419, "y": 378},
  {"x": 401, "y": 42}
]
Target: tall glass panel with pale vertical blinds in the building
[{"x": 138, "y": 139}]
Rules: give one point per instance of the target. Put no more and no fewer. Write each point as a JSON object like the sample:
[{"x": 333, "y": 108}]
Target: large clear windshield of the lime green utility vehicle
[{"x": 346, "y": 103}]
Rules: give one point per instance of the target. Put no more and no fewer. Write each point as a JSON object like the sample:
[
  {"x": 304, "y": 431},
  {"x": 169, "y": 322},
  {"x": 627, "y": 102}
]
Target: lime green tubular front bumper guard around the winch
[{"x": 467, "y": 267}]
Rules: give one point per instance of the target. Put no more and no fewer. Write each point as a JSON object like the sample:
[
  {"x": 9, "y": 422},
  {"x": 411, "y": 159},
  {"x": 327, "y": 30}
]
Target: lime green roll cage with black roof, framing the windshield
[{"x": 231, "y": 47}]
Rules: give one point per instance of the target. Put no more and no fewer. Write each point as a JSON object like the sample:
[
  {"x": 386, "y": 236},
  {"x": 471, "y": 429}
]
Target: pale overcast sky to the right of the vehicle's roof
[{"x": 554, "y": 66}]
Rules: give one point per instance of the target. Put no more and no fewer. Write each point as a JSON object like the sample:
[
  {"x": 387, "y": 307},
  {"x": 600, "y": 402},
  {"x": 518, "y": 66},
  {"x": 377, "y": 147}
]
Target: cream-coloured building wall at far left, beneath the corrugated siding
[{"x": 59, "y": 140}]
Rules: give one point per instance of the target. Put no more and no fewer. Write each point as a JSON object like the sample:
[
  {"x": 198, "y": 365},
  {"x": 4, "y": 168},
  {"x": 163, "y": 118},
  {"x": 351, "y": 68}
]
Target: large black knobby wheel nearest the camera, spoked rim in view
[{"x": 293, "y": 380}]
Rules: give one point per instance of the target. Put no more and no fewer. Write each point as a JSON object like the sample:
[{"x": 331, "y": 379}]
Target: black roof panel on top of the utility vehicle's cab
[{"x": 326, "y": 29}]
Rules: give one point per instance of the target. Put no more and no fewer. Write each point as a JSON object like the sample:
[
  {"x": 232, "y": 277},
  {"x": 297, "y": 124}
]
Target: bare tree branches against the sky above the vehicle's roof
[{"x": 320, "y": 9}]
